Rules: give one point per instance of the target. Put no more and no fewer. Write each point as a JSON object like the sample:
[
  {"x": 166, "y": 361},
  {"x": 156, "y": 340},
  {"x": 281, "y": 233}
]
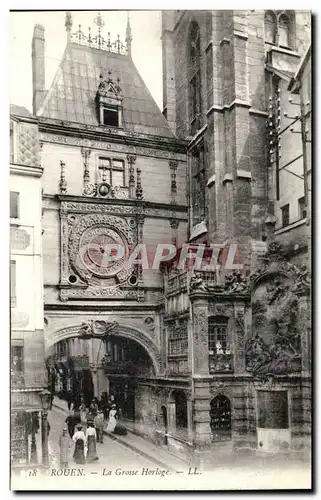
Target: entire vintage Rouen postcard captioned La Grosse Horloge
[{"x": 160, "y": 232}]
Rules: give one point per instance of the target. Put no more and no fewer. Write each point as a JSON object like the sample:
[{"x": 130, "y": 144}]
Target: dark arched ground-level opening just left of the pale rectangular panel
[{"x": 220, "y": 415}]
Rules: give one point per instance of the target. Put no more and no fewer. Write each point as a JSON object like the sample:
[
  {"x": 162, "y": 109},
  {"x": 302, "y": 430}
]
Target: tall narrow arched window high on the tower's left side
[{"x": 194, "y": 70}]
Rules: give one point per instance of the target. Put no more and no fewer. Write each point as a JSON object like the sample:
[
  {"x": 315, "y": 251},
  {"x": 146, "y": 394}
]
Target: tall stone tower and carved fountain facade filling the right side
[{"x": 243, "y": 75}]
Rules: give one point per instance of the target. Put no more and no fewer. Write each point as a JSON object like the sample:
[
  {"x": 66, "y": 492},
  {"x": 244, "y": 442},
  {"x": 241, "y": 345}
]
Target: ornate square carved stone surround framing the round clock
[{"x": 85, "y": 229}]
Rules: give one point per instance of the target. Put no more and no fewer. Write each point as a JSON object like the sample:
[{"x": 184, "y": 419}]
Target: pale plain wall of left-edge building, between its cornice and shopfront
[{"x": 26, "y": 251}]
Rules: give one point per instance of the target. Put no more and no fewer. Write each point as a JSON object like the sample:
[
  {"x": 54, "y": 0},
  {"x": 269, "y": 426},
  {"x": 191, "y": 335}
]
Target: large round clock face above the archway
[{"x": 97, "y": 252}]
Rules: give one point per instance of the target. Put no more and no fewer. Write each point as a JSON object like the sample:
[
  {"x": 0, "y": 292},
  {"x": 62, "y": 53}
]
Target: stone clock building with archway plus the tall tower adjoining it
[{"x": 197, "y": 359}]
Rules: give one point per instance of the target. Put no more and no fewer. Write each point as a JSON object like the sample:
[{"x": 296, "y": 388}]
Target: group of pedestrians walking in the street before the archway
[{"x": 85, "y": 429}]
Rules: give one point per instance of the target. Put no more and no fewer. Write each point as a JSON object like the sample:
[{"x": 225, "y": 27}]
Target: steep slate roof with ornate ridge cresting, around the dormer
[{"x": 73, "y": 91}]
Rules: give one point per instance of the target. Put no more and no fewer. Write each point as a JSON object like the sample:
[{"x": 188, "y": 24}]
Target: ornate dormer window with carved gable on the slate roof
[{"x": 109, "y": 102}]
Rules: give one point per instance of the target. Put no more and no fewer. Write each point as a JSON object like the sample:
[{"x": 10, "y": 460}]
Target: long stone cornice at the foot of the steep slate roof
[{"x": 96, "y": 133}]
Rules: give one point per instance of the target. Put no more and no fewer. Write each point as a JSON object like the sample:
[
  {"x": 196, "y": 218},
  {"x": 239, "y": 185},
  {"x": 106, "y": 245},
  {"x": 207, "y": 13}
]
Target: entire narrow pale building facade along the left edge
[{"x": 27, "y": 338}]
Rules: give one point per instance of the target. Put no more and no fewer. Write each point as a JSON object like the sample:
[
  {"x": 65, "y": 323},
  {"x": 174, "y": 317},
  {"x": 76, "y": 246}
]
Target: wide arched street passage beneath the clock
[{"x": 116, "y": 363}]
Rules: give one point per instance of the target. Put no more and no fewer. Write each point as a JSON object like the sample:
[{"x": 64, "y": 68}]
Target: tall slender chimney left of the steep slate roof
[{"x": 38, "y": 67}]
